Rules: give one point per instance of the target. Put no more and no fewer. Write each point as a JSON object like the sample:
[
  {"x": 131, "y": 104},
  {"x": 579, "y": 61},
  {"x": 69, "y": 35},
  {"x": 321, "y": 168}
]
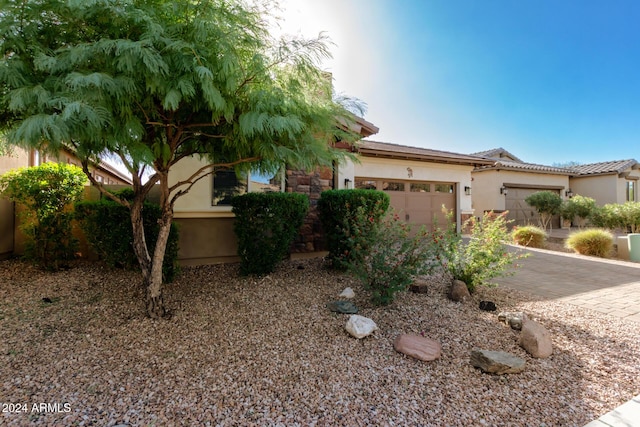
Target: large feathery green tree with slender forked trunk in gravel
[{"x": 153, "y": 82}]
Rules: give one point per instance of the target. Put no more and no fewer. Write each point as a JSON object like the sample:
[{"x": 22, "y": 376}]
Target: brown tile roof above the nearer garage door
[{"x": 386, "y": 149}]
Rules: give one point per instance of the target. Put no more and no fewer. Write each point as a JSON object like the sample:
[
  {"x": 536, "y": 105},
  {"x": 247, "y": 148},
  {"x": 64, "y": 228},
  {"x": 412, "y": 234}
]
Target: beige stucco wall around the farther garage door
[{"x": 486, "y": 186}]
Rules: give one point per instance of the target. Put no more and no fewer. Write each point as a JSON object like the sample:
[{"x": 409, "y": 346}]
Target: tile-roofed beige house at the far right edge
[{"x": 607, "y": 182}]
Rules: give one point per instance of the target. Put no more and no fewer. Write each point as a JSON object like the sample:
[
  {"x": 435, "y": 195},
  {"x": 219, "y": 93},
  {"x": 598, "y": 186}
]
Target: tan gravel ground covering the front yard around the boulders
[{"x": 266, "y": 351}]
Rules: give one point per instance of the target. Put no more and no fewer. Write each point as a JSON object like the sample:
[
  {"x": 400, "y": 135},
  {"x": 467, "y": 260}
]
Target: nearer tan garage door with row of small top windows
[{"x": 419, "y": 203}]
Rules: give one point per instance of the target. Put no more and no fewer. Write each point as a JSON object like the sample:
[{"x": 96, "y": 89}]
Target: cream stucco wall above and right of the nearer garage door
[{"x": 373, "y": 167}]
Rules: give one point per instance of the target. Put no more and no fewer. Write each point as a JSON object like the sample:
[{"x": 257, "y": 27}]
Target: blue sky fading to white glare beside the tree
[{"x": 551, "y": 81}]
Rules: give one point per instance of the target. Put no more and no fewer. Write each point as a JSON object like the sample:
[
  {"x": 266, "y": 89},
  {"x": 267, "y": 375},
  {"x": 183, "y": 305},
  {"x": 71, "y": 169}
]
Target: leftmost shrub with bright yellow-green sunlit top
[{"x": 46, "y": 191}]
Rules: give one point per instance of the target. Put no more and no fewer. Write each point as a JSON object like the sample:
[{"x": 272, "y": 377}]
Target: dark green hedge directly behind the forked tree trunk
[{"x": 107, "y": 228}]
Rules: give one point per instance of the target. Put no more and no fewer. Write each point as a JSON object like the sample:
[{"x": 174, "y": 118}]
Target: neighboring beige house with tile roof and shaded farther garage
[{"x": 508, "y": 181}]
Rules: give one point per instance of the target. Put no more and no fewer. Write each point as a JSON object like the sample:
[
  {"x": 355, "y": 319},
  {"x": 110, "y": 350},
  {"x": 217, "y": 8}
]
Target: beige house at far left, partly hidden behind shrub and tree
[{"x": 9, "y": 239}]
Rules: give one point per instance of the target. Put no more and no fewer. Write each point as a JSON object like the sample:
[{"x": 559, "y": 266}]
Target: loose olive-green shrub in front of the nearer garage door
[{"x": 391, "y": 256}]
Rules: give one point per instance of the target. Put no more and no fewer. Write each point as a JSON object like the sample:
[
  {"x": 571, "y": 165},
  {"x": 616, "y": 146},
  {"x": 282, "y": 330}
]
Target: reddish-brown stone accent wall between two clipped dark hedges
[{"x": 311, "y": 238}]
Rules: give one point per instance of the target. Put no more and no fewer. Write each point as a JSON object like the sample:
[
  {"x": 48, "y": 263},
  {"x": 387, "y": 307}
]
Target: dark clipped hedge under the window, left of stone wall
[{"x": 266, "y": 225}]
